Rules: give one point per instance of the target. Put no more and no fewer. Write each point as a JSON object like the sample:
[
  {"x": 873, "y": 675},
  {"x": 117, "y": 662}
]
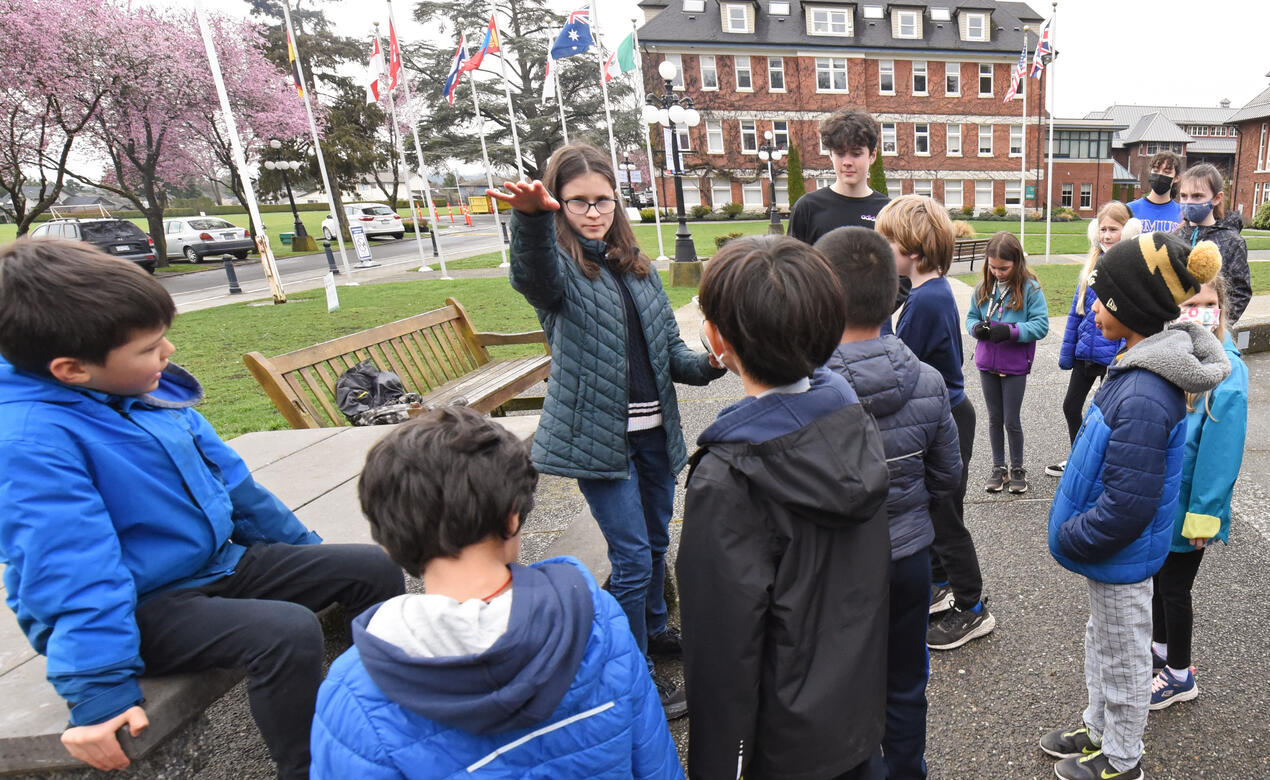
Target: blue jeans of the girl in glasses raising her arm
[{"x": 634, "y": 516}]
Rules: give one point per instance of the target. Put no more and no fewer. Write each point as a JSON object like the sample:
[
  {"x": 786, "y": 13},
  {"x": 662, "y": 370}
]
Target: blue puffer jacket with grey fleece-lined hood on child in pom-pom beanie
[{"x": 1113, "y": 513}]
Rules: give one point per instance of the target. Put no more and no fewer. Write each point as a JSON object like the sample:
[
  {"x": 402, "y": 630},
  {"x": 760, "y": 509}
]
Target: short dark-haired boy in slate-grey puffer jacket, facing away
[{"x": 910, "y": 403}]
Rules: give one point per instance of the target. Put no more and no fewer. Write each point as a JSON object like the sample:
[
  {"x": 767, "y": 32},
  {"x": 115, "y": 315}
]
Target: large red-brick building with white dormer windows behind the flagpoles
[{"x": 934, "y": 76}]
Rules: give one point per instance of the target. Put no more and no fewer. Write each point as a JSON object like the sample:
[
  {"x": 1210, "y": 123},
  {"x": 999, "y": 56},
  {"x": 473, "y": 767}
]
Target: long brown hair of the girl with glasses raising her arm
[{"x": 570, "y": 163}]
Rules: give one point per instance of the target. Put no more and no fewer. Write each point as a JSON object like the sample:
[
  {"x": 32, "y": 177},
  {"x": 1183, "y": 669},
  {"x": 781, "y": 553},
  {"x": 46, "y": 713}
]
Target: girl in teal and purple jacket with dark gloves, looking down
[{"x": 1008, "y": 316}]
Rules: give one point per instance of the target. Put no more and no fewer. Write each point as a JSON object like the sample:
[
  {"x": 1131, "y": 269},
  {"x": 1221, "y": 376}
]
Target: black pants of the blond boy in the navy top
[{"x": 953, "y": 557}]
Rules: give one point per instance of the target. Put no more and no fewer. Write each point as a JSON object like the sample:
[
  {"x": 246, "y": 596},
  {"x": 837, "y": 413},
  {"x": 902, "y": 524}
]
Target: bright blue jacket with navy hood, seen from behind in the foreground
[{"x": 565, "y": 693}]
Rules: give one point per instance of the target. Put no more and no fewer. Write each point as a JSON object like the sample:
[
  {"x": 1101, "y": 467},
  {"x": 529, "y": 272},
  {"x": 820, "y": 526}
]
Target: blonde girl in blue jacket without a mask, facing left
[{"x": 1085, "y": 353}]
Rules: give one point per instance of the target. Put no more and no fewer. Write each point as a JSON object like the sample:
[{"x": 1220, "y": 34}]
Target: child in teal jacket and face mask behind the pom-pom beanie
[{"x": 1216, "y": 426}]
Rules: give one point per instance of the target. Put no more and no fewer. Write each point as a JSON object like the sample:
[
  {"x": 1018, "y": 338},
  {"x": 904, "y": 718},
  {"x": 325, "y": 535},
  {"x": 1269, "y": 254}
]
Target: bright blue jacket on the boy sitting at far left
[{"x": 106, "y": 501}]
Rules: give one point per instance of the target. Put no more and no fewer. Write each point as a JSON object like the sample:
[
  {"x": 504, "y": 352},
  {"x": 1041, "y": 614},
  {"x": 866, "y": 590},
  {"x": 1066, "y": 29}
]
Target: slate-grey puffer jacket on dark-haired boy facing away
[{"x": 910, "y": 403}]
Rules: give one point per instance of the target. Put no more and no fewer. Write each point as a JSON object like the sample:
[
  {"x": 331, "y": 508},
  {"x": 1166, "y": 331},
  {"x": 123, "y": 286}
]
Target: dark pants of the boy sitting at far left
[{"x": 262, "y": 618}]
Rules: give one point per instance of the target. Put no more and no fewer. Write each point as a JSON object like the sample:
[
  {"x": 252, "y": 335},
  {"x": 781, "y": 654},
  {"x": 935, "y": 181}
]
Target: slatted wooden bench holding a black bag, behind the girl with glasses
[{"x": 438, "y": 355}]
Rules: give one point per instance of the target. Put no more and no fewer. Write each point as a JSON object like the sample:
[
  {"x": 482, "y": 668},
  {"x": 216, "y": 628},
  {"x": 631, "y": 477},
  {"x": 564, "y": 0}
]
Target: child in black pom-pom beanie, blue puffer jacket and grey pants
[{"x": 1112, "y": 518}]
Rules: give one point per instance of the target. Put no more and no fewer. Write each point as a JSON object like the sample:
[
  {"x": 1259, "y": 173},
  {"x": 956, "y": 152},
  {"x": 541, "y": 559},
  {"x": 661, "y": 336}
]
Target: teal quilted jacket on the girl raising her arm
[{"x": 584, "y": 429}]
